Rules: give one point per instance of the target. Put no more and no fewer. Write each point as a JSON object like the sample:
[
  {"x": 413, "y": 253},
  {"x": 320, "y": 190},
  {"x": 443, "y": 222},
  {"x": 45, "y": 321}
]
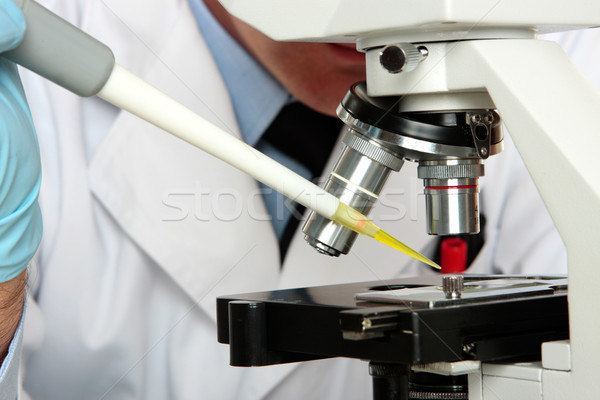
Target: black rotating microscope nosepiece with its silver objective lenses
[{"x": 449, "y": 145}]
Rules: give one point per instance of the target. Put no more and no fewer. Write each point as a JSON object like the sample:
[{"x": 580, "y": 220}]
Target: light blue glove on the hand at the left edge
[{"x": 20, "y": 171}]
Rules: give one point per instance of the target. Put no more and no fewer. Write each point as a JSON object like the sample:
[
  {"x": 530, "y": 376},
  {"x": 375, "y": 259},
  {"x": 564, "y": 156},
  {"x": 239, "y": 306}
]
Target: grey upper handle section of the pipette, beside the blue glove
[{"x": 62, "y": 53}]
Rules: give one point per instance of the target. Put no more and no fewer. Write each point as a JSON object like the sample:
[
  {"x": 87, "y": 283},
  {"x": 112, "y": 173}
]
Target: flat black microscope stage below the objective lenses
[{"x": 406, "y": 321}]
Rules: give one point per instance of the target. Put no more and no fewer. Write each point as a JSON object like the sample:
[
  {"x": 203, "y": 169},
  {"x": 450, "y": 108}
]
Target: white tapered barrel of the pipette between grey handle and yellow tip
[{"x": 127, "y": 91}]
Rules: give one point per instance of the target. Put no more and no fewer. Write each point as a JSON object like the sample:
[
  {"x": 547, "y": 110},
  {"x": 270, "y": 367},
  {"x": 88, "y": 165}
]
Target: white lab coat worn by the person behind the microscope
[{"x": 135, "y": 251}]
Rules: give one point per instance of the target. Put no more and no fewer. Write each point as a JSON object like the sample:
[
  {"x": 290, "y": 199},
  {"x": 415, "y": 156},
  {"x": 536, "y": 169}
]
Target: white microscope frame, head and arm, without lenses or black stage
[{"x": 483, "y": 55}]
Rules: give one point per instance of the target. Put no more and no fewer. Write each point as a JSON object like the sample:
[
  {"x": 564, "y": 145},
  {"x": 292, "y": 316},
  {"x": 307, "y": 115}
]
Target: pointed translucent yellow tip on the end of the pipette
[{"x": 354, "y": 220}]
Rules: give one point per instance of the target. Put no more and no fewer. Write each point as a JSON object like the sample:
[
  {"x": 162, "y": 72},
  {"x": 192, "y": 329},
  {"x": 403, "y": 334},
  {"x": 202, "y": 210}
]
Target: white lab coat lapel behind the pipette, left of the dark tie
[{"x": 202, "y": 221}]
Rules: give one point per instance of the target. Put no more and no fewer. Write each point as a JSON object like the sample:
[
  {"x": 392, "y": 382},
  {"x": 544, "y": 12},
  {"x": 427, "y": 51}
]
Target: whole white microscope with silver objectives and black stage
[{"x": 442, "y": 77}]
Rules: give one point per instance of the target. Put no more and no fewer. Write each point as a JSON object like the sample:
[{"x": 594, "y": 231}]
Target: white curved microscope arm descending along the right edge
[{"x": 552, "y": 113}]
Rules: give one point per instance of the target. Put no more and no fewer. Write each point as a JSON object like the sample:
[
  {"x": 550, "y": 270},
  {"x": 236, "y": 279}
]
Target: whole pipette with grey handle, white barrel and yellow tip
[{"x": 62, "y": 53}]
